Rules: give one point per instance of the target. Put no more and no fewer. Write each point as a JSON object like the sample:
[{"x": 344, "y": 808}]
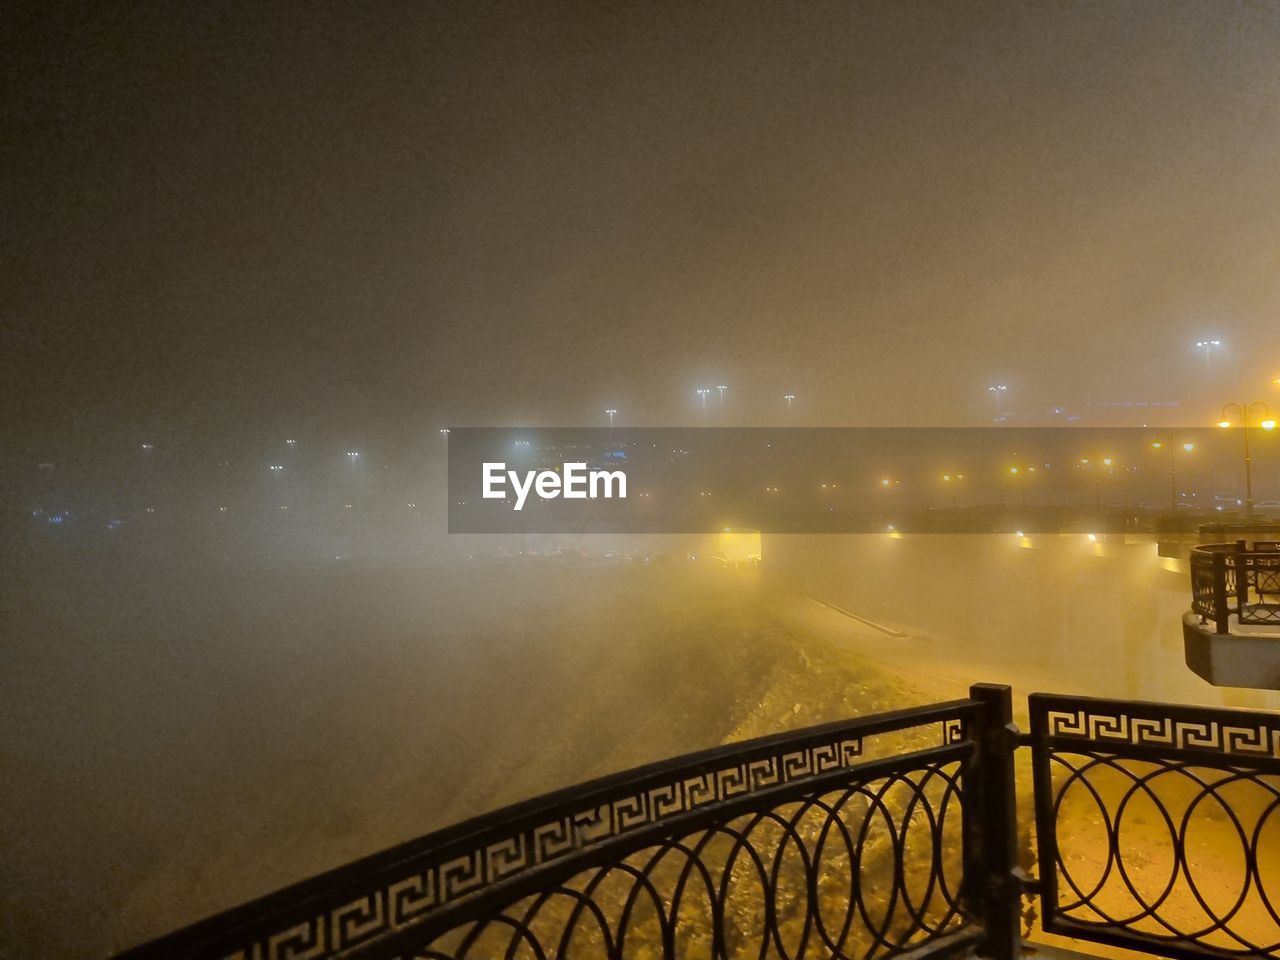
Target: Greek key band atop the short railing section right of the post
[{"x": 1252, "y": 739}]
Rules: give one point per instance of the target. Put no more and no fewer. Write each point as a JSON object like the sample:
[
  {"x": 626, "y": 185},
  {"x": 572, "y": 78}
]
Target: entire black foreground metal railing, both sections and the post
[{"x": 1158, "y": 830}]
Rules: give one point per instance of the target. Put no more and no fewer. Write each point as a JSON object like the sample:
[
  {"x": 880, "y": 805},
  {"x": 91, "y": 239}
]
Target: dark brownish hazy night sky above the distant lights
[{"x": 344, "y": 221}]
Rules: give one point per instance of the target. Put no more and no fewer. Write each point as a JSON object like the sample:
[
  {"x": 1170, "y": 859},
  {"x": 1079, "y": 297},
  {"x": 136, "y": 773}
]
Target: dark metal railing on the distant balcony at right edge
[{"x": 1235, "y": 580}]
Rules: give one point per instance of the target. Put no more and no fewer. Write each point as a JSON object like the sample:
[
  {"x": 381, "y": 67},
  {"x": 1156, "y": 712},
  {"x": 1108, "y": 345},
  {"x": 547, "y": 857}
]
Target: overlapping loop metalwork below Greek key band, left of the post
[{"x": 866, "y": 870}]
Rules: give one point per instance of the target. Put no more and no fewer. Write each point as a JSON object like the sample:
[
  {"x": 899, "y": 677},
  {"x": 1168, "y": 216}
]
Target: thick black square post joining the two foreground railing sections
[{"x": 991, "y": 826}]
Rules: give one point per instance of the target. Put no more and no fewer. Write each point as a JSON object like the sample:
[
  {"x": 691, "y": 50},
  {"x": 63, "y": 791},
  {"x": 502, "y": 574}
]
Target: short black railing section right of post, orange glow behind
[{"x": 1159, "y": 826}]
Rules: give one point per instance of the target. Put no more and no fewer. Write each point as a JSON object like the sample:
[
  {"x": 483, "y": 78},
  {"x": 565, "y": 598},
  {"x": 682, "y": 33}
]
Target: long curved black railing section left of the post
[{"x": 848, "y": 840}]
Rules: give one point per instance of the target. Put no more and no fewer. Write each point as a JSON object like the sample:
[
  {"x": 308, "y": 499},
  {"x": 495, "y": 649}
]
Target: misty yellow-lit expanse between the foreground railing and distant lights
[{"x": 180, "y": 740}]
